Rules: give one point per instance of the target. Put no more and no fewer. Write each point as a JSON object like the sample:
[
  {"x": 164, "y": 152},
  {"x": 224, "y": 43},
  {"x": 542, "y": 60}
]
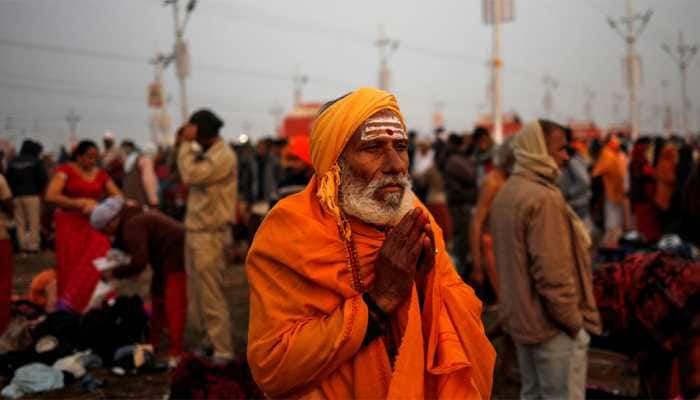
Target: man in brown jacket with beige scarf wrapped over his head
[{"x": 544, "y": 270}]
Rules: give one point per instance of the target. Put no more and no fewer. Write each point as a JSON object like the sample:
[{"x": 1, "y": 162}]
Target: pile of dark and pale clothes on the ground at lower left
[{"x": 41, "y": 352}]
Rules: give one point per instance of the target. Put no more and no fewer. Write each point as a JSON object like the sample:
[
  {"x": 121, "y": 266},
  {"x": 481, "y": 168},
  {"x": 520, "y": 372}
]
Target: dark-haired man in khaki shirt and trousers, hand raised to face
[{"x": 208, "y": 168}]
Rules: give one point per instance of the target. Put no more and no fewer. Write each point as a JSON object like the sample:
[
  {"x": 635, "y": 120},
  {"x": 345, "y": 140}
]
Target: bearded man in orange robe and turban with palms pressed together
[{"x": 353, "y": 294}]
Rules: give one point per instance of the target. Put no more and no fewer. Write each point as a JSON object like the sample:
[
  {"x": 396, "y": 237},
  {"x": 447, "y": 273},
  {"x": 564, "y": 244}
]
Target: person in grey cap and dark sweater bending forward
[{"x": 150, "y": 237}]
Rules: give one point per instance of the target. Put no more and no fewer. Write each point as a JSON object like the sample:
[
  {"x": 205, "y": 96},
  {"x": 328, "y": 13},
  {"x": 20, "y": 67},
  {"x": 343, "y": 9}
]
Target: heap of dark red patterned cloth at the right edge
[{"x": 649, "y": 301}]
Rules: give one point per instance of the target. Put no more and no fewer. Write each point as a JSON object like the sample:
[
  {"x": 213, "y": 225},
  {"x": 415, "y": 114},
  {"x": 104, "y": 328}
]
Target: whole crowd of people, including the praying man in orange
[{"x": 335, "y": 241}]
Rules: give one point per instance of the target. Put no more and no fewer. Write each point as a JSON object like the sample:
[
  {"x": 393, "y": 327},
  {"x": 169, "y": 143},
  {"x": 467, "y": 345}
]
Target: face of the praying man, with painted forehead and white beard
[{"x": 374, "y": 164}]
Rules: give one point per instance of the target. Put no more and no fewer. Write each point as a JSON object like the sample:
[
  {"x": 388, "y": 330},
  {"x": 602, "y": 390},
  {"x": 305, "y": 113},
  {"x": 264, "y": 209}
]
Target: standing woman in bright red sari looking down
[{"x": 76, "y": 187}]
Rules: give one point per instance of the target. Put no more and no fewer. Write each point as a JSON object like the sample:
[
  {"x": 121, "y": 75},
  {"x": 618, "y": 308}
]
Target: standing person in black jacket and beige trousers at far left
[{"x": 27, "y": 178}]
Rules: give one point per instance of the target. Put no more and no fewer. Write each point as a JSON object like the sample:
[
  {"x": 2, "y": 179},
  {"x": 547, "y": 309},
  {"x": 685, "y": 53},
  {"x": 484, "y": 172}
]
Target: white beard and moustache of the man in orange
[{"x": 358, "y": 199}]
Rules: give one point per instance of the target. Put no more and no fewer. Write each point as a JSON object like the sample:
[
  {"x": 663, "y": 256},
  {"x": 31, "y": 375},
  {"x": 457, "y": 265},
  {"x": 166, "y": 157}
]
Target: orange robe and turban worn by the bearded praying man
[{"x": 307, "y": 317}]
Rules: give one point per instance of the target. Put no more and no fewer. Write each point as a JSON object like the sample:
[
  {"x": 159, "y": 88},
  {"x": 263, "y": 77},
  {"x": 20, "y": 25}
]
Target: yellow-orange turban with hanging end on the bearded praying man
[{"x": 331, "y": 132}]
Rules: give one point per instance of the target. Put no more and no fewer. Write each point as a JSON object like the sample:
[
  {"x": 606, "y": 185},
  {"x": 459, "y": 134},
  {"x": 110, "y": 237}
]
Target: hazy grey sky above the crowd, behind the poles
[{"x": 92, "y": 56}]
